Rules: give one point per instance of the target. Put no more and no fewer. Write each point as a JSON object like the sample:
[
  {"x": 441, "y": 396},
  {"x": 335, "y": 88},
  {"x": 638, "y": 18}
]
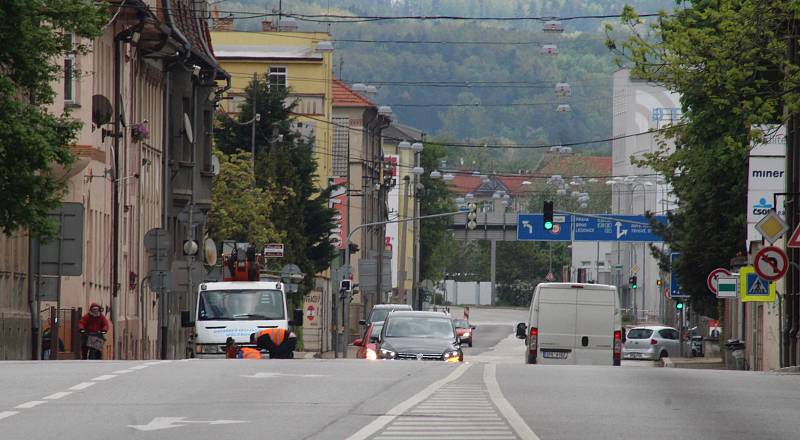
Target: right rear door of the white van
[{"x": 594, "y": 329}]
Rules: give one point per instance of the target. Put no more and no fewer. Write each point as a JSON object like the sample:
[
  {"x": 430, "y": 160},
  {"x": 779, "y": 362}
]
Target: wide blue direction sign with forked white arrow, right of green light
[{"x": 630, "y": 228}]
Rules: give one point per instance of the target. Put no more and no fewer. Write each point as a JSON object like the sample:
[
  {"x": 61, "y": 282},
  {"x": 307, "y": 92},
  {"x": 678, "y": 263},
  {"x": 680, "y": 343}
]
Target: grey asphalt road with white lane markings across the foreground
[{"x": 492, "y": 396}]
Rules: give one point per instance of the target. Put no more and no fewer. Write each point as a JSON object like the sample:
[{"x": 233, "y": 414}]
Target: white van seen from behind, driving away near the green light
[{"x": 573, "y": 324}]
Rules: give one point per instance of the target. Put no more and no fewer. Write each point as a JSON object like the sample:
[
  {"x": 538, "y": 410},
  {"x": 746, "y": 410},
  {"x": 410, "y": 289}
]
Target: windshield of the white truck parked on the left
[{"x": 232, "y": 305}]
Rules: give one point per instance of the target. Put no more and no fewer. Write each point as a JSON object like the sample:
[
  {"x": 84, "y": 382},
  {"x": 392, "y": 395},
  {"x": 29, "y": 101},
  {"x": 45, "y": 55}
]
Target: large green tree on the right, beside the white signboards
[{"x": 727, "y": 60}]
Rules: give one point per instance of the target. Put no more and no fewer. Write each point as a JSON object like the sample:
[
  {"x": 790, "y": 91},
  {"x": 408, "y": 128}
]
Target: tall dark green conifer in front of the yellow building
[{"x": 284, "y": 163}]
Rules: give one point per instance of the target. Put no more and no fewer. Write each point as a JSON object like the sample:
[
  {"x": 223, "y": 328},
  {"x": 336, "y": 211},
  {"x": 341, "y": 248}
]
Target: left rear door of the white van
[{"x": 556, "y": 323}]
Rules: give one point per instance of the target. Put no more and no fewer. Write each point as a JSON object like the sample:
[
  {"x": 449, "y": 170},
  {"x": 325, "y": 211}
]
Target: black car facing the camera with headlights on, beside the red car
[{"x": 420, "y": 336}]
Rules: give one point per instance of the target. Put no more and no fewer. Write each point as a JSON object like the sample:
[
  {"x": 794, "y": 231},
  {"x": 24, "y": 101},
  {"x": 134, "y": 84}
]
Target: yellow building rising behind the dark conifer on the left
[{"x": 300, "y": 61}]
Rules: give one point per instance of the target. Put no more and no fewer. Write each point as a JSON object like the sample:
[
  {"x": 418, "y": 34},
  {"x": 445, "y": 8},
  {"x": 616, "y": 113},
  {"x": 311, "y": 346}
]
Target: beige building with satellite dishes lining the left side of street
[{"x": 148, "y": 59}]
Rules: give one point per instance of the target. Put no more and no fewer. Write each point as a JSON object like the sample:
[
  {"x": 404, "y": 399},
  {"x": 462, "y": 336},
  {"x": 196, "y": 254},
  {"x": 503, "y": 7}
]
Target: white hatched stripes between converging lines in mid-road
[{"x": 454, "y": 411}]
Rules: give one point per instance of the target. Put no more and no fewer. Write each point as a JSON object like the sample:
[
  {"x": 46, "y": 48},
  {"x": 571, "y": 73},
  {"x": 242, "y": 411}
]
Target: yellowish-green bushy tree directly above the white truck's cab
[{"x": 239, "y": 210}]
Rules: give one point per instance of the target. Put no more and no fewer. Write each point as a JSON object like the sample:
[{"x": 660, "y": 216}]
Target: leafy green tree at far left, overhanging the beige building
[{"x": 32, "y": 36}]
